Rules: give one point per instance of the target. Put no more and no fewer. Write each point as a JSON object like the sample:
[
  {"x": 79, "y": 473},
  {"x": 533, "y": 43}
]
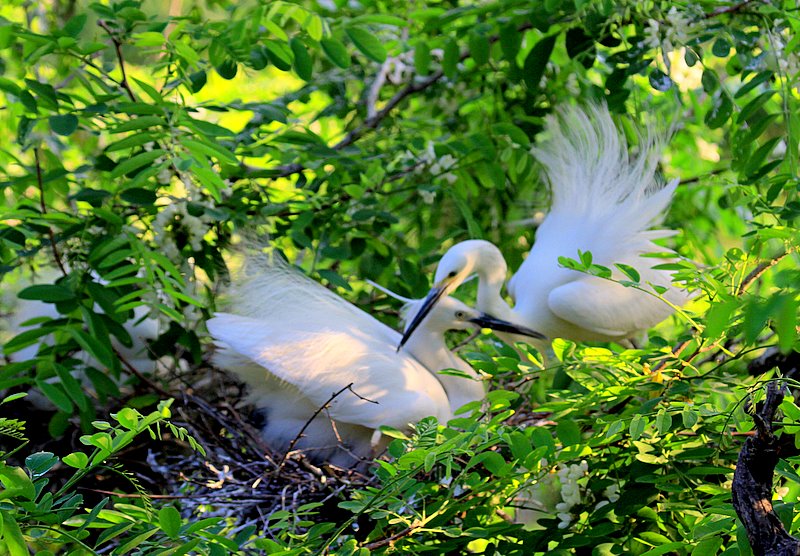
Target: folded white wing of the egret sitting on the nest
[{"x": 394, "y": 388}]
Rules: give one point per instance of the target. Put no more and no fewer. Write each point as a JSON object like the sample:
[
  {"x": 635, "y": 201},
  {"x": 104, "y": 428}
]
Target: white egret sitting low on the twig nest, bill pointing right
[{"x": 295, "y": 343}]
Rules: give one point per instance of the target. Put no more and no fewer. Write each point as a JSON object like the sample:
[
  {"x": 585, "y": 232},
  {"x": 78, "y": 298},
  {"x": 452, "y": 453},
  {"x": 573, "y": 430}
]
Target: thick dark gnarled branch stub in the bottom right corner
[{"x": 752, "y": 484}]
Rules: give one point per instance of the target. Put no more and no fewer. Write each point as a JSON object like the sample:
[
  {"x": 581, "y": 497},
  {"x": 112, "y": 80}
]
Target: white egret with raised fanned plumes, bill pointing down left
[{"x": 603, "y": 201}]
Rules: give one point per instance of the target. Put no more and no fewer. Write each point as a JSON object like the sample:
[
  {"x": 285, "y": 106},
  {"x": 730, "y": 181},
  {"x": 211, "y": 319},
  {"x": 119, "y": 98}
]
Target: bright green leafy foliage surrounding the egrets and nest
[{"x": 362, "y": 140}]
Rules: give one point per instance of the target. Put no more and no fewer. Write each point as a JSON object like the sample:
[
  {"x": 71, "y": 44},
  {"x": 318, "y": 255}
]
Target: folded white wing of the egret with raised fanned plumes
[{"x": 606, "y": 308}]
